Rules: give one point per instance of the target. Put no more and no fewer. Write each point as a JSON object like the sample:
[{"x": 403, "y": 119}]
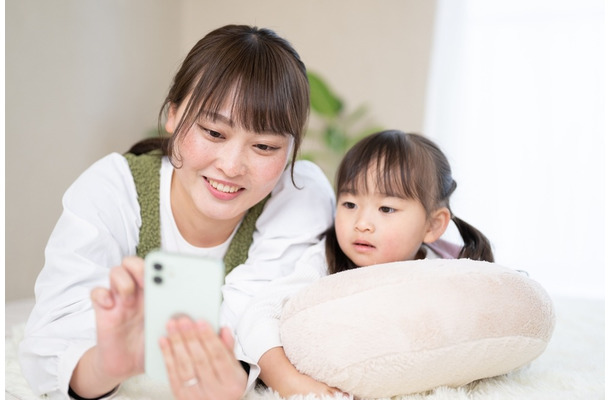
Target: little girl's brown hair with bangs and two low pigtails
[{"x": 409, "y": 166}]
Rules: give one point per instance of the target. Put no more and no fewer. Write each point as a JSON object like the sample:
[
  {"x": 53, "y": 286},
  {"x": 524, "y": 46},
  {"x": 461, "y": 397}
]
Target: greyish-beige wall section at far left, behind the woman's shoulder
[{"x": 83, "y": 78}]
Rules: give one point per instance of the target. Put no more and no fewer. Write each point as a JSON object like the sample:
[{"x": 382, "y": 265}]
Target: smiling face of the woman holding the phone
[{"x": 224, "y": 168}]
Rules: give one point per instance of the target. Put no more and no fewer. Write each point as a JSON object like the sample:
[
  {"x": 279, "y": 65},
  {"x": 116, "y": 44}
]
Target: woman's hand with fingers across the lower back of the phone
[{"x": 200, "y": 364}]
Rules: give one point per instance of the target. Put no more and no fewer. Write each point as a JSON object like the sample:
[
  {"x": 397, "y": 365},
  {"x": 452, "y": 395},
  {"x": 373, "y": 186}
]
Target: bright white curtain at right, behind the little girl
[{"x": 515, "y": 100}]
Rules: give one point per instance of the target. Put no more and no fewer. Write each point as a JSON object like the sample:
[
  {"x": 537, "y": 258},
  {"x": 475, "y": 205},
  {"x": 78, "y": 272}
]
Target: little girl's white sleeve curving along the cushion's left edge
[{"x": 258, "y": 329}]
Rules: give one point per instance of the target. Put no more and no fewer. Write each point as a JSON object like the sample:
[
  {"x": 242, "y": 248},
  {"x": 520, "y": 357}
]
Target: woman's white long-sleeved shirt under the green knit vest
[{"x": 99, "y": 226}]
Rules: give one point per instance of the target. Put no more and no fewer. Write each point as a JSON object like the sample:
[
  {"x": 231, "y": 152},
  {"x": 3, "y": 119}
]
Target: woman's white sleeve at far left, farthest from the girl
[{"x": 98, "y": 227}]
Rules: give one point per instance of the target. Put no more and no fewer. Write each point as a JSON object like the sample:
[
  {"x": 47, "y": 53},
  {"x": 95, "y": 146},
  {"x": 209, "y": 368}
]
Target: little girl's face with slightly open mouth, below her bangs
[{"x": 374, "y": 228}]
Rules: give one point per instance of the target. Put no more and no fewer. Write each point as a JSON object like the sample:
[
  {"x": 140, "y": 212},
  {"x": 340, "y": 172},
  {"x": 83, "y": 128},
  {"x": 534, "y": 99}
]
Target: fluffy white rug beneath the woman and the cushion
[{"x": 571, "y": 368}]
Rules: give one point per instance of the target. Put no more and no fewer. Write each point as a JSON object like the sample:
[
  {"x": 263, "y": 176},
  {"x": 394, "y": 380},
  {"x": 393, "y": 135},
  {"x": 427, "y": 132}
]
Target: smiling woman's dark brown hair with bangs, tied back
[{"x": 260, "y": 74}]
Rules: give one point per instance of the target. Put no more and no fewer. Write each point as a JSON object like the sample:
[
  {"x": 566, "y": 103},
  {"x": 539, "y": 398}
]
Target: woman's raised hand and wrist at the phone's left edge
[{"x": 119, "y": 352}]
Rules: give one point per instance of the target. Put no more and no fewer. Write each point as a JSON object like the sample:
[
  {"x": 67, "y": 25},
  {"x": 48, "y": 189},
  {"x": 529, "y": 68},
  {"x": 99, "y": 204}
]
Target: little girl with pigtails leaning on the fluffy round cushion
[{"x": 393, "y": 192}]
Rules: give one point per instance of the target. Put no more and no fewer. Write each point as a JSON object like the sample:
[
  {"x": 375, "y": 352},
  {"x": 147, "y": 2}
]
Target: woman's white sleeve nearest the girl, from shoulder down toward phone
[{"x": 293, "y": 220}]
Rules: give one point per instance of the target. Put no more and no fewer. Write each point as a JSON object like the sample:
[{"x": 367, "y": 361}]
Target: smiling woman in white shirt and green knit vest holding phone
[{"x": 219, "y": 186}]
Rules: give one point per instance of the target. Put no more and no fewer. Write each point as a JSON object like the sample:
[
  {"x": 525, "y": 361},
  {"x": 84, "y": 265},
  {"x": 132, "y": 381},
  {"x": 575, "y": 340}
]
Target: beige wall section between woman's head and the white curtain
[{"x": 374, "y": 53}]
